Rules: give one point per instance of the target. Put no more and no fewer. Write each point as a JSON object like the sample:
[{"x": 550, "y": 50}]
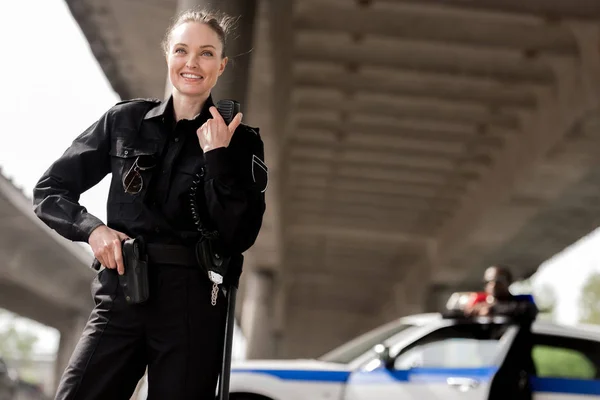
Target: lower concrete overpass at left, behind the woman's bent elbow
[{"x": 42, "y": 276}]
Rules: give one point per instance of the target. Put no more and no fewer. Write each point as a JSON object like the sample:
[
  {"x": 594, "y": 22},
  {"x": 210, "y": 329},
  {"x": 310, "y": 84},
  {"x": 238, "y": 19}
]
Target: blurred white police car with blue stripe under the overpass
[{"x": 429, "y": 356}]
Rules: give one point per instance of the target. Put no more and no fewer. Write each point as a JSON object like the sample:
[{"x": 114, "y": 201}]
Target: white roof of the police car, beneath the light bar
[{"x": 541, "y": 325}]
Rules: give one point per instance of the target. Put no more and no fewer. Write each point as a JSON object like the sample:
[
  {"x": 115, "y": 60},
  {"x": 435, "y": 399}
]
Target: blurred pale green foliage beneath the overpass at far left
[{"x": 15, "y": 343}]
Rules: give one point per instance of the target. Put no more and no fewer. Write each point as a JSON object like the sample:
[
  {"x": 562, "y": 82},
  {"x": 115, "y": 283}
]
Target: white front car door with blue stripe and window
[{"x": 455, "y": 362}]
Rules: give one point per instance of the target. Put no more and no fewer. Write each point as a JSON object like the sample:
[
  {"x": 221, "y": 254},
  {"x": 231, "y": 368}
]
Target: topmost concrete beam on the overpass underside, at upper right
[{"x": 440, "y": 24}]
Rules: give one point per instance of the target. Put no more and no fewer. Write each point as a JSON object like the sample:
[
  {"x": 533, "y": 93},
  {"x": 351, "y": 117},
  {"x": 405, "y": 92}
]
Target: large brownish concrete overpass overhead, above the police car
[{"x": 410, "y": 143}]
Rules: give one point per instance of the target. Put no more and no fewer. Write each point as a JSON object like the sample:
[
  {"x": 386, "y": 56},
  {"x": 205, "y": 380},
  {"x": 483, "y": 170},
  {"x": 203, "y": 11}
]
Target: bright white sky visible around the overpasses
[{"x": 53, "y": 88}]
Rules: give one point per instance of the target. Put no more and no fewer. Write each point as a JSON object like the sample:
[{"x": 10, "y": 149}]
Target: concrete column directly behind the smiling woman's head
[{"x": 233, "y": 84}]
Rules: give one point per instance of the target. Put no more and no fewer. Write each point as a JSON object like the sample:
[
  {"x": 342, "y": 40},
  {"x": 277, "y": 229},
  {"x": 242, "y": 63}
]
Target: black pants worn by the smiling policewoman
[{"x": 178, "y": 334}]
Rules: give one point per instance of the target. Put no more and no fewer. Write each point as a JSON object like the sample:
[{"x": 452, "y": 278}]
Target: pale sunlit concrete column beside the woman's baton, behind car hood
[{"x": 258, "y": 316}]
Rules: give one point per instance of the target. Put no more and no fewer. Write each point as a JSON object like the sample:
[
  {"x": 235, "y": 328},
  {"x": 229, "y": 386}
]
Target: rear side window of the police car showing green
[{"x": 554, "y": 362}]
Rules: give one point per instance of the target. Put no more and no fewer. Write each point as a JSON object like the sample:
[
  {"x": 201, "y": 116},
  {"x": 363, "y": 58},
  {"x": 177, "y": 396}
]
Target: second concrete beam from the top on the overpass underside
[{"x": 406, "y": 81}]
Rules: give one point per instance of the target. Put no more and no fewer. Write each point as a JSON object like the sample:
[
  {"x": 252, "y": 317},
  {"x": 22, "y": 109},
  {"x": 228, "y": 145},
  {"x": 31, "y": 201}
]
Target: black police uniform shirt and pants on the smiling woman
[{"x": 178, "y": 334}]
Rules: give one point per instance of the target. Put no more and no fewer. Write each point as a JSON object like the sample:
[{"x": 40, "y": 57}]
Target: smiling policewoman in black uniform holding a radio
[{"x": 156, "y": 151}]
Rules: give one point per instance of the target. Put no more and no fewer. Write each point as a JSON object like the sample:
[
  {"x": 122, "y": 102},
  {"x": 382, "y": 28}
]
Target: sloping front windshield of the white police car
[{"x": 355, "y": 348}]
